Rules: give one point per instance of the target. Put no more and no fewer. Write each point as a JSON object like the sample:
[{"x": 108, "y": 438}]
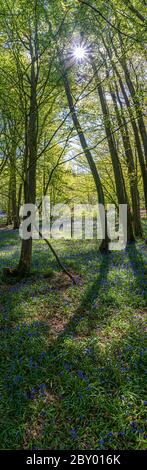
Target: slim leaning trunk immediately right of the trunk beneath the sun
[{"x": 119, "y": 180}]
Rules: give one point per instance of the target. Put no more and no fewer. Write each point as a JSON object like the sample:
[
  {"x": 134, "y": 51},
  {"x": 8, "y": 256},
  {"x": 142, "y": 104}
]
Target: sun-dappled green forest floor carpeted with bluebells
[{"x": 73, "y": 356}]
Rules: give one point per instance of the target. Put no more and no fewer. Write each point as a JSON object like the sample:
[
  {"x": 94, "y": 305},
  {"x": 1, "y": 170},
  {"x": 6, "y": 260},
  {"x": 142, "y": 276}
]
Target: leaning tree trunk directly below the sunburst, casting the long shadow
[{"x": 88, "y": 155}]
